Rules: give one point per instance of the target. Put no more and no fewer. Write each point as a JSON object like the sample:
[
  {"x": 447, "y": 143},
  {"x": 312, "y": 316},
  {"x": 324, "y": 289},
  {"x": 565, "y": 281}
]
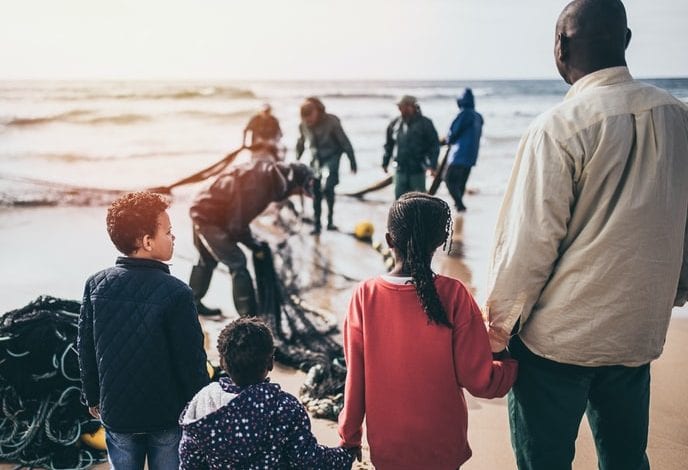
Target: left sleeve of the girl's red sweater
[{"x": 351, "y": 417}]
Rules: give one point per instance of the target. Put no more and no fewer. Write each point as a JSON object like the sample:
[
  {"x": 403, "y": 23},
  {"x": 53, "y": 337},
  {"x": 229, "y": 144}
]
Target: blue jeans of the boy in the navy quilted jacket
[{"x": 128, "y": 451}]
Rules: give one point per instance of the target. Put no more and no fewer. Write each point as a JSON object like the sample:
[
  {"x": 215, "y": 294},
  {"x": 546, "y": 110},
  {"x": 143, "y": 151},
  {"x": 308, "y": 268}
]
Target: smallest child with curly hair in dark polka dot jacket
[{"x": 248, "y": 422}]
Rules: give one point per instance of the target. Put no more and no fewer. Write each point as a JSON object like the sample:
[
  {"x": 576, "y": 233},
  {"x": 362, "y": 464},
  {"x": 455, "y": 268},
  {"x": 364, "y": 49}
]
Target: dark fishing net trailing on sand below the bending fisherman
[{"x": 303, "y": 334}]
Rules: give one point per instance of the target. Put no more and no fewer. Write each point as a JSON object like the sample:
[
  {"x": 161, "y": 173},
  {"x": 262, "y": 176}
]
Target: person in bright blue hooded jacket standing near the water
[{"x": 464, "y": 137}]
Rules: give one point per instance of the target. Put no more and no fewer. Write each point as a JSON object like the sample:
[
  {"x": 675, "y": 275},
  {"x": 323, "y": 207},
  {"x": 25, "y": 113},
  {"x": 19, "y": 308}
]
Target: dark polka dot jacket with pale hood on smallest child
[{"x": 254, "y": 427}]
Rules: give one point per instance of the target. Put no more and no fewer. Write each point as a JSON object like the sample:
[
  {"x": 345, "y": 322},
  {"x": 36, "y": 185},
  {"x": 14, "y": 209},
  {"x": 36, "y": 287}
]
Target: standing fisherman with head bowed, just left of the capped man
[{"x": 327, "y": 141}]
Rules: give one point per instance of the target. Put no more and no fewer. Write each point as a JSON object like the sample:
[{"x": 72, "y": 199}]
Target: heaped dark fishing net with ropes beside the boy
[{"x": 42, "y": 417}]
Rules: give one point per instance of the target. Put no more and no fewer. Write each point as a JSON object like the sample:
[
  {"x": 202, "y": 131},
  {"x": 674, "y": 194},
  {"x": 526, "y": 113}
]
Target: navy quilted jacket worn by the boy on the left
[{"x": 140, "y": 346}]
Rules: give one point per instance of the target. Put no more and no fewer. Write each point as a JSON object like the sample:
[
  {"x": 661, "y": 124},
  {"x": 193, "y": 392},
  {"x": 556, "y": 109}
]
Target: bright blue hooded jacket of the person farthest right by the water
[{"x": 465, "y": 132}]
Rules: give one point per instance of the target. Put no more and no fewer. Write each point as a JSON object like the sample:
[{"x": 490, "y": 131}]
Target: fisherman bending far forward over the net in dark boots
[{"x": 222, "y": 215}]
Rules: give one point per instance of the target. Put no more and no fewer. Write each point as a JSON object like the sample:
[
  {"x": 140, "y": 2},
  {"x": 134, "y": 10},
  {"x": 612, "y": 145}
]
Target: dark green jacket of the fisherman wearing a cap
[{"x": 416, "y": 141}]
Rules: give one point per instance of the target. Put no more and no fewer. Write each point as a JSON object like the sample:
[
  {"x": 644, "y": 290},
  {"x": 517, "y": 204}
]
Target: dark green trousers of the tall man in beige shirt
[{"x": 547, "y": 403}]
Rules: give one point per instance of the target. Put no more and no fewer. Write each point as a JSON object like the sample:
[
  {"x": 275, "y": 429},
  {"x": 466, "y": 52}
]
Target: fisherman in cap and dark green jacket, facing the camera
[{"x": 417, "y": 147}]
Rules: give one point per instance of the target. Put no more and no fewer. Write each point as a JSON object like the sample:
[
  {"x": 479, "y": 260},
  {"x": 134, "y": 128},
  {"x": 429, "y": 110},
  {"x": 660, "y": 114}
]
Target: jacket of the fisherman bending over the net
[{"x": 239, "y": 195}]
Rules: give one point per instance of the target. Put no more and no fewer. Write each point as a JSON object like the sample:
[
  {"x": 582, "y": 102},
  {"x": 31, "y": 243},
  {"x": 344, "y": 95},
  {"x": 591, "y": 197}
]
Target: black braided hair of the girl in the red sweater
[{"x": 417, "y": 224}]
